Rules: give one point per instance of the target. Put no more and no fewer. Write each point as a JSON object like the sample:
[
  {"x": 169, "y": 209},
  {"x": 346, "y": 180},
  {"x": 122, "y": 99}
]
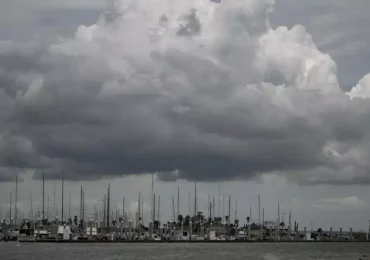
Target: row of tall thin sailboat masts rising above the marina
[{"x": 155, "y": 209}]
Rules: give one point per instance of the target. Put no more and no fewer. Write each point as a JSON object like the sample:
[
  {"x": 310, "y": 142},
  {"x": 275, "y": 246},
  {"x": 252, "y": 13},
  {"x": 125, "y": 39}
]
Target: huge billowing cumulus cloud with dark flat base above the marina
[{"x": 191, "y": 90}]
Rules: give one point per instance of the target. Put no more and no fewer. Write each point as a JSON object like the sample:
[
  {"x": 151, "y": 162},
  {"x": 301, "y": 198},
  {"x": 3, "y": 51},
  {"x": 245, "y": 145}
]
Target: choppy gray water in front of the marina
[{"x": 267, "y": 251}]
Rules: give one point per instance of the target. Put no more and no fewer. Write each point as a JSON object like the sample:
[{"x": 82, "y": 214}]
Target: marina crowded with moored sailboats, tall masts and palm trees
[{"x": 109, "y": 226}]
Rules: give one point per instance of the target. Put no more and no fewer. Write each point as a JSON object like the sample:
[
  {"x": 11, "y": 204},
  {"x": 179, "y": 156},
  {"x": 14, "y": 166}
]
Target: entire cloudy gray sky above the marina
[{"x": 252, "y": 96}]
